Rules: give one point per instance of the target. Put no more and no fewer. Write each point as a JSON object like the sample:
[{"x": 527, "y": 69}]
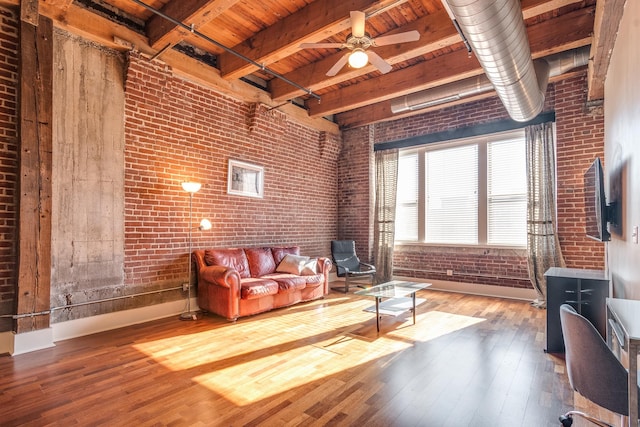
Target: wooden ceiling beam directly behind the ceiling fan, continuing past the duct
[{"x": 437, "y": 31}]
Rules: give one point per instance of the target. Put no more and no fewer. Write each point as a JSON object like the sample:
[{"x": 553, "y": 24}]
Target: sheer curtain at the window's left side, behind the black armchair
[{"x": 385, "y": 213}]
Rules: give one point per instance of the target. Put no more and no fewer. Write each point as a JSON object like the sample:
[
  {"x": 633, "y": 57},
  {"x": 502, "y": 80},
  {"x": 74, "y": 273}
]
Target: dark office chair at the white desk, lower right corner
[{"x": 593, "y": 370}]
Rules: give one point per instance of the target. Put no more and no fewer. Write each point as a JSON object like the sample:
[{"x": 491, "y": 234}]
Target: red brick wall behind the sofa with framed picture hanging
[{"x": 177, "y": 130}]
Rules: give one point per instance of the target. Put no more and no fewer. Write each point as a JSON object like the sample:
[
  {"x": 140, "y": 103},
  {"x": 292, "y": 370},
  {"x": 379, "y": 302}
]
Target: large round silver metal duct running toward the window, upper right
[{"x": 496, "y": 31}]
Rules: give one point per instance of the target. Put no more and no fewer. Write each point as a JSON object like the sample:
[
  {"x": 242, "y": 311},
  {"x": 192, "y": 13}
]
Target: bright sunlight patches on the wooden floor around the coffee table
[{"x": 261, "y": 357}]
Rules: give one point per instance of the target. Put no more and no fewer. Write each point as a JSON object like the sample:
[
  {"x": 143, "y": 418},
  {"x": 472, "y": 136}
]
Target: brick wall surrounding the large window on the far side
[{"x": 580, "y": 139}]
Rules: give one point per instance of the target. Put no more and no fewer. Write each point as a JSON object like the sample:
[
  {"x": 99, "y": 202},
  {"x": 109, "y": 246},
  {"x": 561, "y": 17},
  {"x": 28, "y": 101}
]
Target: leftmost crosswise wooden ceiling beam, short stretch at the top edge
[{"x": 163, "y": 33}]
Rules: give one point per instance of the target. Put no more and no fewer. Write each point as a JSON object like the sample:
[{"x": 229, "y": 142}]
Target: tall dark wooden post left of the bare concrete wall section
[{"x": 34, "y": 182}]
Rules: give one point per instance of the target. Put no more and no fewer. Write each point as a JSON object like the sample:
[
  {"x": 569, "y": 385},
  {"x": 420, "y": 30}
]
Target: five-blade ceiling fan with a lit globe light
[{"x": 358, "y": 43}]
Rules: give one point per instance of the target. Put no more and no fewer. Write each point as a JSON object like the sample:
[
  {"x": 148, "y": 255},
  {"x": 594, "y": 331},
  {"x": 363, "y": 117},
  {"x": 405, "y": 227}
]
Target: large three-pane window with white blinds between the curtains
[{"x": 471, "y": 192}]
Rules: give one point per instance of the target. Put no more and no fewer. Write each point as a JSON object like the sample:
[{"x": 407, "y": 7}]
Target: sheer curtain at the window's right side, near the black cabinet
[{"x": 543, "y": 246}]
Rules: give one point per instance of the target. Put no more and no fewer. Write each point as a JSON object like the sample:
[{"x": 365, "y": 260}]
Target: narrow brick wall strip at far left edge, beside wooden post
[{"x": 8, "y": 160}]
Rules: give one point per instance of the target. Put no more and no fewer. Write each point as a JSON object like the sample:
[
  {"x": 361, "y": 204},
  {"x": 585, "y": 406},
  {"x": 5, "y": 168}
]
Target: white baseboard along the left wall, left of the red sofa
[{"x": 15, "y": 344}]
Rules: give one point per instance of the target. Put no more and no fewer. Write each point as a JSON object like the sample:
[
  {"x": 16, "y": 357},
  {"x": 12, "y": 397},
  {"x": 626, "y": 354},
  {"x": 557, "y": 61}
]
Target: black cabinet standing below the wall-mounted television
[{"x": 584, "y": 290}]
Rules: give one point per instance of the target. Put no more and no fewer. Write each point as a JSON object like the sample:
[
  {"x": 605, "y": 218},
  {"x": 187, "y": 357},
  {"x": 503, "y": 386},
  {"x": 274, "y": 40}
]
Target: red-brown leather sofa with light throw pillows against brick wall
[{"x": 244, "y": 281}]
